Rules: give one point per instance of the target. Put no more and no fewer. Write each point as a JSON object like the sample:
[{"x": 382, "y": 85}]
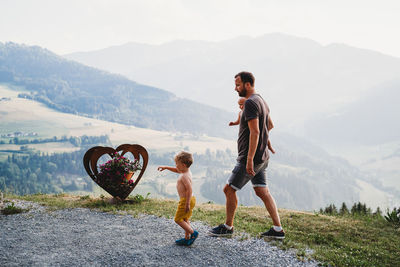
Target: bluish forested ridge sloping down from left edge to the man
[{"x": 72, "y": 87}]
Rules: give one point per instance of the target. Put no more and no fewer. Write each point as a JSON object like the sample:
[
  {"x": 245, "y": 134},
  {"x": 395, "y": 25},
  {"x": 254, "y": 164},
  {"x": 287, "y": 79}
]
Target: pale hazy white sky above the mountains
[{"x": 65, "y": 26}]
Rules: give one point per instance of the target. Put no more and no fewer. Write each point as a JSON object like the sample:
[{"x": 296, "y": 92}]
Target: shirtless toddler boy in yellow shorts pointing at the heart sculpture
[{"x": 187, "y": 201}]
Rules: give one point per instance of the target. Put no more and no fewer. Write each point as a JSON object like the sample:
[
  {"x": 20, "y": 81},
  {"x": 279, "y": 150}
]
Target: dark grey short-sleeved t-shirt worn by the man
[{"x": 254, "y": 107}]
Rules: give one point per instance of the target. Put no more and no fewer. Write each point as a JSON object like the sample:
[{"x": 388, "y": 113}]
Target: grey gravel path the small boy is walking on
[{"x": 83, "y": 237}]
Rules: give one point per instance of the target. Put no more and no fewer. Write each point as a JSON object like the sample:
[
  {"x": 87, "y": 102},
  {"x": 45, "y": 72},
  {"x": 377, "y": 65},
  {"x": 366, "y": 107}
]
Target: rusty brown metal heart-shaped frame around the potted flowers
[{"x": 117, "y": 189}]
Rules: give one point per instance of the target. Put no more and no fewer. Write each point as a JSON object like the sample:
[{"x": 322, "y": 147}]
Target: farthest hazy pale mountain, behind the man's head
[{"x": 295, "y": 75}]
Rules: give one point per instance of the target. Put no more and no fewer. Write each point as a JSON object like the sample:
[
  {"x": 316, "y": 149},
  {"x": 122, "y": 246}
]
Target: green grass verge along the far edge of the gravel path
[{"x": 332, "y": 240}]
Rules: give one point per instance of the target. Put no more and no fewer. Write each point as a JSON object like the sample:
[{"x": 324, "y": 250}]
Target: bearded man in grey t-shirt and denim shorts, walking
[{"x": 252, "y": 160}]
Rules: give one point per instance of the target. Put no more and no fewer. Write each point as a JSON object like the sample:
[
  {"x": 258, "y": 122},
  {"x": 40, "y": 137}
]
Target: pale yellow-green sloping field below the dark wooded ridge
[{"x": 28, "y": 116}]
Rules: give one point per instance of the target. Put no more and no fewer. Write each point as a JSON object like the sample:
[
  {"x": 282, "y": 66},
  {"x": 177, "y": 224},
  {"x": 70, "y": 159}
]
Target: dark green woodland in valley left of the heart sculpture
[{"x": 43, "y": 173}]
